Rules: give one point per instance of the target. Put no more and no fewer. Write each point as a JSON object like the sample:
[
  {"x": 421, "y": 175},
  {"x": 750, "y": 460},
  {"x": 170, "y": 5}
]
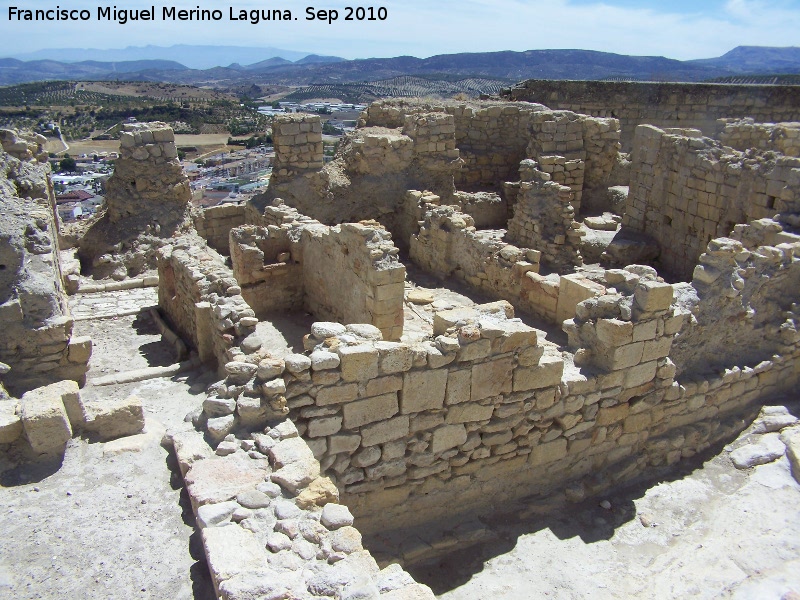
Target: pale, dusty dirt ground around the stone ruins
[{"x": 112, "y": 521}]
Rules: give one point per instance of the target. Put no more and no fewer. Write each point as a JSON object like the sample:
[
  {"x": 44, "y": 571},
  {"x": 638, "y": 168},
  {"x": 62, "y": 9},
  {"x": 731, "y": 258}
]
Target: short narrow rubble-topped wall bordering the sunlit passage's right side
[{"x": 202, "y": 300}]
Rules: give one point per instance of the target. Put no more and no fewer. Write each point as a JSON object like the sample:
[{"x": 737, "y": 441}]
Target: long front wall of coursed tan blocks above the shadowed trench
[{"x": 415, "y": 433}]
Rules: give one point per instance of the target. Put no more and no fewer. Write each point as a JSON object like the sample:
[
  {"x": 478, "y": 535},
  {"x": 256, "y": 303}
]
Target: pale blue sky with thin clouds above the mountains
[{"x": 681, "y": 29}]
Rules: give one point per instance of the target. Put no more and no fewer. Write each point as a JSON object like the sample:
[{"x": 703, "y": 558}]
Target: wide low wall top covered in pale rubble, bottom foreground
[{"x": 271, "y": 527}]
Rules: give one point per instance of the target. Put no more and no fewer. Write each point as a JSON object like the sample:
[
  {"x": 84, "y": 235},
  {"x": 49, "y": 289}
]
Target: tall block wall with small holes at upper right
[{"x": 686, "y": 190}]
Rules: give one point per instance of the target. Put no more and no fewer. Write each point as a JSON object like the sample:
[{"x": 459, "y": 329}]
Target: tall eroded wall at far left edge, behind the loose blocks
[{"x": 37, "y": 342}]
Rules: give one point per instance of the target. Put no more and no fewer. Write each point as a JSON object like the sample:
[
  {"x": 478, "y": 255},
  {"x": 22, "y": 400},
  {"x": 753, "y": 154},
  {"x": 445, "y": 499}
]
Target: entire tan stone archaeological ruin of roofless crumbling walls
[{"x": 628, "y": 296}]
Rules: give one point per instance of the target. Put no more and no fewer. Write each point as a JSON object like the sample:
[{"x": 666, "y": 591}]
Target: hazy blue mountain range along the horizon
[{"x": 308, "y": 69}]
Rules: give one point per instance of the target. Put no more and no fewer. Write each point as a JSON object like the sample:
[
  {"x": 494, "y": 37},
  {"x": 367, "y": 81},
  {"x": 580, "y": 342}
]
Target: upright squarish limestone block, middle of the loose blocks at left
[{"x": 45, "y": 421}]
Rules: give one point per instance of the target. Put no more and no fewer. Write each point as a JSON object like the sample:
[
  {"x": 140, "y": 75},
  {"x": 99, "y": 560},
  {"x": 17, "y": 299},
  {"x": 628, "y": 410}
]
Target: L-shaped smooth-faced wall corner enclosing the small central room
[{"x": 349, "y": 273}]
